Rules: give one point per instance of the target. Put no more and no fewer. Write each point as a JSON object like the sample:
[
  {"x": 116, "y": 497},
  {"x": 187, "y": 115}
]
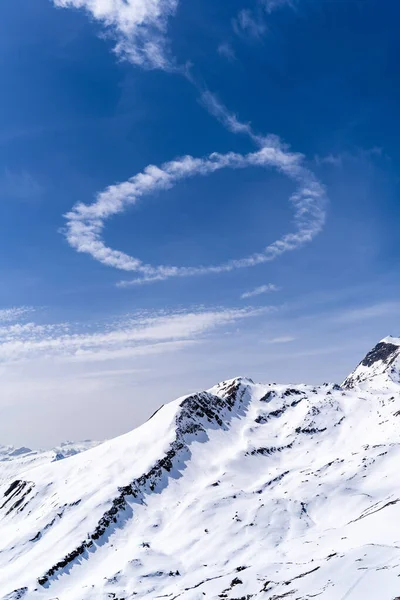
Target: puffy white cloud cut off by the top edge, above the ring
[{"x": 139, "y": 27}]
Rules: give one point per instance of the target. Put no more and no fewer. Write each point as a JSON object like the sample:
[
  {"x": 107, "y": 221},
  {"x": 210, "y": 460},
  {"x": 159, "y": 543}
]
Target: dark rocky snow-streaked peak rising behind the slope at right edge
[{"x": 382, "y": 360}]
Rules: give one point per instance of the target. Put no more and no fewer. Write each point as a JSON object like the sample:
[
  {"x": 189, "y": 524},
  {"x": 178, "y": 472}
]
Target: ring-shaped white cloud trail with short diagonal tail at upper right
[{"x": 85, "y": 223}]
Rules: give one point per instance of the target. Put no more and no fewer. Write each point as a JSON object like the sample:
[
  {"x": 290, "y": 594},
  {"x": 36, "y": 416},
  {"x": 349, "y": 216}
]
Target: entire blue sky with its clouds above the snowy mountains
[{"x": 94, "y": 91}]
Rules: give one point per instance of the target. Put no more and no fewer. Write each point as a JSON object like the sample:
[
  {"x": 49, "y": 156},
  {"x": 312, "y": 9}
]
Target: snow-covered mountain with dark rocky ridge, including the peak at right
[{"x": 245, "y": 491}]
